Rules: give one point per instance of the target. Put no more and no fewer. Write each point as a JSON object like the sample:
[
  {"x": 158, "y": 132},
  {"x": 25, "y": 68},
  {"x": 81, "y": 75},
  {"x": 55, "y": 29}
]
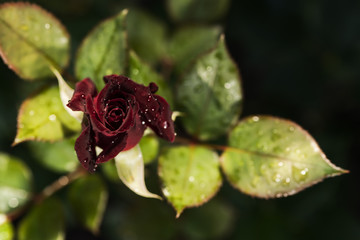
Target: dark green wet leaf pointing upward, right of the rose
[{"x": 210, "y": 95}]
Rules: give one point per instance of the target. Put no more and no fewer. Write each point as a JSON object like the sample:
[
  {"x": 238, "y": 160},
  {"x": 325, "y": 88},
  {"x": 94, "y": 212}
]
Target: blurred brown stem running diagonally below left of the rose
[{"x": 60, "y": 183}]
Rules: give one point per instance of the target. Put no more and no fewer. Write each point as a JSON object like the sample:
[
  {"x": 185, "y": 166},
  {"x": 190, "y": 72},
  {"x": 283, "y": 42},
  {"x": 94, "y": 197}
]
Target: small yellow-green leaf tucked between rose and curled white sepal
[{"x": 149, "y": 146}]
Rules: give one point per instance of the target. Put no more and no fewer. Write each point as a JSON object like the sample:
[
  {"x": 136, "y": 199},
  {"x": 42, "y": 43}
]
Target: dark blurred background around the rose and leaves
[{"x": 299, "y": 60}]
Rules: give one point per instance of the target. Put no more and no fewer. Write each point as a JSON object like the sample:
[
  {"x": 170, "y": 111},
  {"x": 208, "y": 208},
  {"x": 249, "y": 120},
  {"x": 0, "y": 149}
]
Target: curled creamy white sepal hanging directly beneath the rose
[{"x": 130, "y": 168}]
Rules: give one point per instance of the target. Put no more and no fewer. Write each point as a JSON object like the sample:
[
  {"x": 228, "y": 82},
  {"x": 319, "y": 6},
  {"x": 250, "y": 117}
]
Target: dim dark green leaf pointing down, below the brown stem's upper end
[{"x": 88, "y": 197}]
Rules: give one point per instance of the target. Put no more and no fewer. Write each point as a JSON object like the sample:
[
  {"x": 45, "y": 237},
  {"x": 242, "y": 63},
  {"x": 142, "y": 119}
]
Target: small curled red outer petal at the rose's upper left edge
[{"x": 83, "y": 89}]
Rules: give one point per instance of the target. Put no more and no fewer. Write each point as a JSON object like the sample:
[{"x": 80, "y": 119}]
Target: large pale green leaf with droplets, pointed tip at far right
[{"x": 272, "y": 157}]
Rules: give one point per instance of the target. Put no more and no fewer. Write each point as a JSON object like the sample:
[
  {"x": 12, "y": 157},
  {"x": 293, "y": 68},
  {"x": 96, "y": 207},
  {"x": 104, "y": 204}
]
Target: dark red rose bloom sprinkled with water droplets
[{"x": 115, "y": 119}]
